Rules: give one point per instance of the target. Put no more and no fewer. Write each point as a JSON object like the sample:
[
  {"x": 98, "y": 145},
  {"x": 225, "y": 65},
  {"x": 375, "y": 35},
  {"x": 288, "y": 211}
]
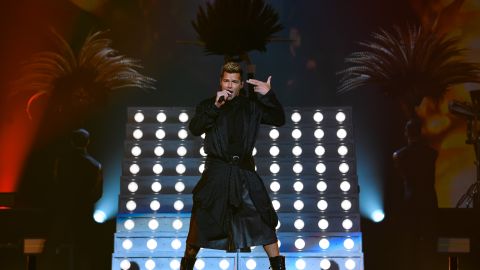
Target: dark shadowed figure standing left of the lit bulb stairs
[{"x": 78, "y": 181}]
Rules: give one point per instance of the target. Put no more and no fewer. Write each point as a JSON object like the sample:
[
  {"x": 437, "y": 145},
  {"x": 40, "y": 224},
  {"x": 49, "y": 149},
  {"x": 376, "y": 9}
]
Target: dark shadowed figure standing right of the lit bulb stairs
[{"x": 415, "y": 164}]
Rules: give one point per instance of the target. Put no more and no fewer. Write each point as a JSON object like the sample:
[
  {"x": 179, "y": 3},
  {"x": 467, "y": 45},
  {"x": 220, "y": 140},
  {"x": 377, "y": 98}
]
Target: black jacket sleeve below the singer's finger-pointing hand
[{"x": 273, "y": 113}]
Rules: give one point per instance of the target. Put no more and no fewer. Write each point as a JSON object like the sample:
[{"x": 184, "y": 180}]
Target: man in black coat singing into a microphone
[{"x": 231, "y": 206}]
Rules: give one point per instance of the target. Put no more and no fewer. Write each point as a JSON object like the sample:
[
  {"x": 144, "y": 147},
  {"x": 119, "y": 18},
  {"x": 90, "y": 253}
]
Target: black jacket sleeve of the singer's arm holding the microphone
[{"x": 205, "y": 114}]
